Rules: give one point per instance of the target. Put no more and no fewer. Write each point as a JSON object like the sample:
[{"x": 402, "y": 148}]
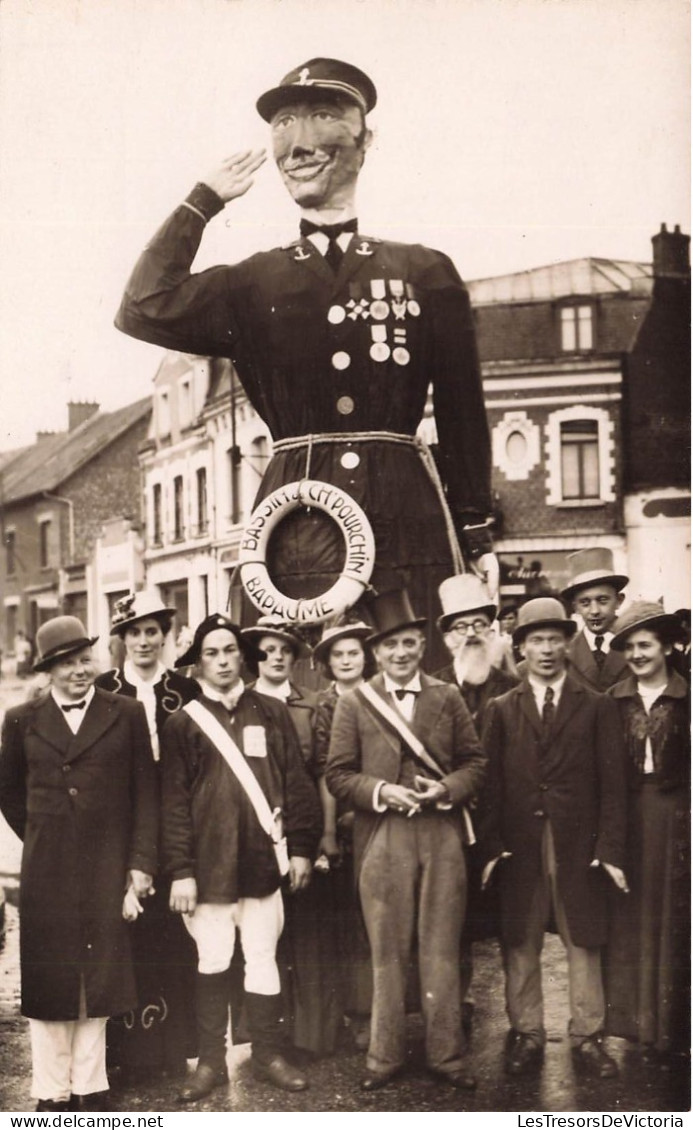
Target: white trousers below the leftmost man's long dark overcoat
[{"x": 70, "y": 1057}]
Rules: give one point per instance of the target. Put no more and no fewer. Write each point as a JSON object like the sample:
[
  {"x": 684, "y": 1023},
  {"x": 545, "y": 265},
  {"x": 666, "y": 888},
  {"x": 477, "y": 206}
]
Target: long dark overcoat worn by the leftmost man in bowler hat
[{"x": 85, "y": 806}]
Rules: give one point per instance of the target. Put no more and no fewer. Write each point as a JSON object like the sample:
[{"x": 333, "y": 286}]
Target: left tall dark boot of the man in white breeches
[{"x": 212, "y": 1009}]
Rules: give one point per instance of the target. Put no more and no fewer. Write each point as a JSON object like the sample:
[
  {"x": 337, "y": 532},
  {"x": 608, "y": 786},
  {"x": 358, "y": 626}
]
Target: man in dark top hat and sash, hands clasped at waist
[{"x": 405, "y": 757}]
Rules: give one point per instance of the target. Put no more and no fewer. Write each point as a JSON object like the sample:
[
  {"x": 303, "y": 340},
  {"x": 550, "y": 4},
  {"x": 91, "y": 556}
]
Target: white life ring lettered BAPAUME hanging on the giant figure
[{"x": 360, "y": 552}]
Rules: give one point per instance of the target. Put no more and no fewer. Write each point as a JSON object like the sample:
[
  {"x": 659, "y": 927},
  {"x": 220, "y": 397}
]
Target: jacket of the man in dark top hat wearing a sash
[{"x": 365, "y": 751}]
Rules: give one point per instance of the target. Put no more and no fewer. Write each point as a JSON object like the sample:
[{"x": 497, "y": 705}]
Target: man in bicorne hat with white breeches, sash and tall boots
[{"x": 222, "y": 862}]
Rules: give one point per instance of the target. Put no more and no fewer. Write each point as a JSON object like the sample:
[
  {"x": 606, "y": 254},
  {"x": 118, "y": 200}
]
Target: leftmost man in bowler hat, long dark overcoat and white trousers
[{"x": 79, "y": 787}]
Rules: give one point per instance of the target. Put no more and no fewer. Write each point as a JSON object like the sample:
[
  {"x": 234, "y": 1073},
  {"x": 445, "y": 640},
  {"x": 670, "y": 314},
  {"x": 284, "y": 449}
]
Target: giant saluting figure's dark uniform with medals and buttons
[{"x": 344, "y": 354}]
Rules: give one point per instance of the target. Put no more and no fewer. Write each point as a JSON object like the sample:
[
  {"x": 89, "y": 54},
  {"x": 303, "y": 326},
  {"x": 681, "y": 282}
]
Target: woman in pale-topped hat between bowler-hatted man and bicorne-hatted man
[{"x": 159, "y": 1037}]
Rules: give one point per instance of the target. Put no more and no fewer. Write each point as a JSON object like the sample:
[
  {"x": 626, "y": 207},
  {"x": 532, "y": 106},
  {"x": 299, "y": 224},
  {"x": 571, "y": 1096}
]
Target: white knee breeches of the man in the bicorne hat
[{"x": 259, "y": 922}]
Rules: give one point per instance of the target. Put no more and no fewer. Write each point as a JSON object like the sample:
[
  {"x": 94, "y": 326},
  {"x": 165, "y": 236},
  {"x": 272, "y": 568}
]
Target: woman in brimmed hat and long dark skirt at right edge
[{"x": 649, "y": 951}]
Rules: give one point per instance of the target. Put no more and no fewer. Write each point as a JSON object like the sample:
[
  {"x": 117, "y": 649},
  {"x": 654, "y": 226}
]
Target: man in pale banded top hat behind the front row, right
[{"x": 595, "y": 594}]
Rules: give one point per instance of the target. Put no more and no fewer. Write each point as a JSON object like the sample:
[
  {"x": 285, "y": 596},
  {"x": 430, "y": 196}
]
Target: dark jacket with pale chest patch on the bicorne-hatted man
[{"x": 211, "y": 830}]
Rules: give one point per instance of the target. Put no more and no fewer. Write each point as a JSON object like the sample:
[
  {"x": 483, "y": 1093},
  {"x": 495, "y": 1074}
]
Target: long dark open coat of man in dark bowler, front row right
[{"x": 576, "y": 779}]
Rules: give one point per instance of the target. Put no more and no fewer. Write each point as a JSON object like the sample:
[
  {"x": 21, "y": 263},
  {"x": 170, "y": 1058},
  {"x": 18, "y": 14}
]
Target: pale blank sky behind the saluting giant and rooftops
[{"x": 509, "y": 134}]
